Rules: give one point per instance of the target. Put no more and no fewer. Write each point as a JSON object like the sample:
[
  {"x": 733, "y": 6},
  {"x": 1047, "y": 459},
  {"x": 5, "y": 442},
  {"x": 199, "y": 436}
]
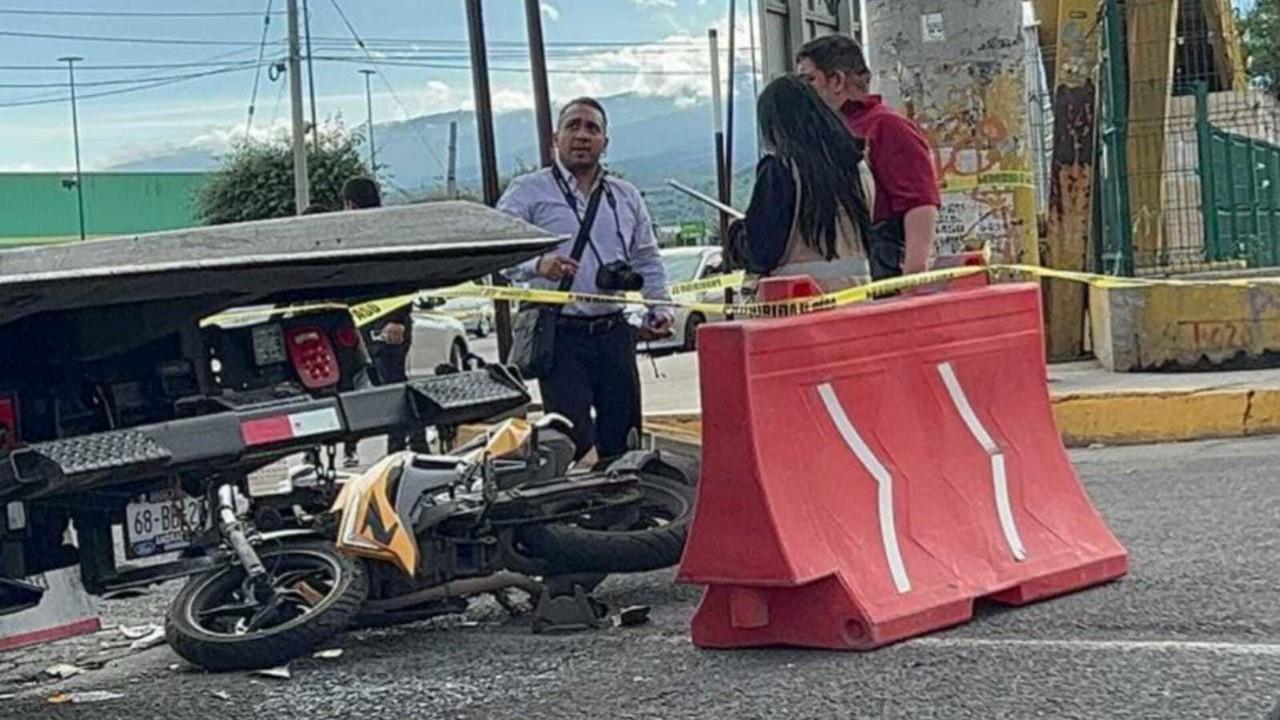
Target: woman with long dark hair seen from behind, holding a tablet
[{"x": 810, "y": 212}]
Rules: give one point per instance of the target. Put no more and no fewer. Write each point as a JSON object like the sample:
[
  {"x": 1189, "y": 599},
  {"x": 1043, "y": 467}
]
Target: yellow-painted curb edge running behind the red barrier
[{"x": 1103, "y": 418}]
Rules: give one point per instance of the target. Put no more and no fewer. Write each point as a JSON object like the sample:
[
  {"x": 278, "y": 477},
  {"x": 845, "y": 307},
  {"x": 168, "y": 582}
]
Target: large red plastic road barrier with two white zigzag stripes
[{"x": 870, "y": 473}]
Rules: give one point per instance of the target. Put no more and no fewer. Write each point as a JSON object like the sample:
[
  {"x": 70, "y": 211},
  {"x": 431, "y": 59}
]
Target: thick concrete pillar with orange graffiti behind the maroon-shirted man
[{"x": 958, "y": 69}]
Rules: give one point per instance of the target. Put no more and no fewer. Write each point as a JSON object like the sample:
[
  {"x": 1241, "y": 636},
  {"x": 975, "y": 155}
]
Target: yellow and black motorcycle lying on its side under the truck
[{"x": 417, "y": 536}]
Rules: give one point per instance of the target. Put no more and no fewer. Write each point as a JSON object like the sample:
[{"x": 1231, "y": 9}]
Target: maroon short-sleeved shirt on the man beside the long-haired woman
[{"x": 899, "y": 158}]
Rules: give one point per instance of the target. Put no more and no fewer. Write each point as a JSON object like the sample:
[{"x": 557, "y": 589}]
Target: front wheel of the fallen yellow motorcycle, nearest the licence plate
[{"x": 217, "y": 625}]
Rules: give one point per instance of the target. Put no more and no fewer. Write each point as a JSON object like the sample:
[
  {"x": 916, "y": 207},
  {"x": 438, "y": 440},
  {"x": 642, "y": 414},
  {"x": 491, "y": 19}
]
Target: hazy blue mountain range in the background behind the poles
[{"x": 652, "y": 139}]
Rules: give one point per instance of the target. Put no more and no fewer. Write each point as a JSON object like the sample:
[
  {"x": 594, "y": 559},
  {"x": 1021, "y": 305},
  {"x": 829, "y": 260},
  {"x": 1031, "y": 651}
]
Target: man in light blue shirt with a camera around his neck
[{"x": 596, "y": 359}]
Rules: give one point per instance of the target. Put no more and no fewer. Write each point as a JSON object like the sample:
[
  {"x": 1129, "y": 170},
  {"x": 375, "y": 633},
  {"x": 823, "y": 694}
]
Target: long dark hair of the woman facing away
[{"x": 802, "y": 130}]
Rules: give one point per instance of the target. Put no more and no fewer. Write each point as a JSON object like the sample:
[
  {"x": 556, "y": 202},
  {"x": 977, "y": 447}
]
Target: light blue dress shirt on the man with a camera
[{"x": 623, "y": 231}]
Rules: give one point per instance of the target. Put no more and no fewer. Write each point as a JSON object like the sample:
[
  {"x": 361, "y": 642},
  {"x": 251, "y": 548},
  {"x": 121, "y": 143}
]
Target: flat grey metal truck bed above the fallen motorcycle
[{"x": 341, "y": 256}]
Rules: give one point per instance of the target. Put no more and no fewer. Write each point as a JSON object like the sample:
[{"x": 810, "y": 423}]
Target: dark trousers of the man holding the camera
[{"x": 596, "y": 367}]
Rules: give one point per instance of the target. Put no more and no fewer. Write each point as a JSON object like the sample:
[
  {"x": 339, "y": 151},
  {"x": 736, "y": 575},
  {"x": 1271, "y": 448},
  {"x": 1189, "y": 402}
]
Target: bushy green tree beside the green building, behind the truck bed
[{"x": 255, "y": 183}]
